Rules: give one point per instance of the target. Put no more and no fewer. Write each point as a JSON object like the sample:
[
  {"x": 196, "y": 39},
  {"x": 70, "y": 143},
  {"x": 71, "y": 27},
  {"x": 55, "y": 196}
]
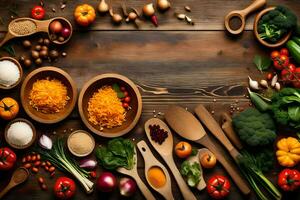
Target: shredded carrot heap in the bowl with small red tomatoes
[{"x": 105, "y": 108}]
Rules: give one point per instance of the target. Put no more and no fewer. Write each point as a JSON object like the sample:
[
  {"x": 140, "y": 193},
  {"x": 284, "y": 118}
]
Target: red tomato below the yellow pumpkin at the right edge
[{"x": 289, "y": 179}]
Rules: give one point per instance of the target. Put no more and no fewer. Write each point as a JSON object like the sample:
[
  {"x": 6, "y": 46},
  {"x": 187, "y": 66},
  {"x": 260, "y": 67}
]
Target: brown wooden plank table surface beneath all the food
[{"x": 175, "y": 63}]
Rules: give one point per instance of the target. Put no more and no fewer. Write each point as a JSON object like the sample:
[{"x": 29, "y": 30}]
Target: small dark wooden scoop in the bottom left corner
[{"x": 19, "y": 176}]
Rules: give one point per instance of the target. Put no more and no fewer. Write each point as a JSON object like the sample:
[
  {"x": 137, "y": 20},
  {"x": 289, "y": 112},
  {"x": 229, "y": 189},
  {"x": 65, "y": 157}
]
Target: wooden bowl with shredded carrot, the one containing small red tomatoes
[{"x": 101, "y": 108}]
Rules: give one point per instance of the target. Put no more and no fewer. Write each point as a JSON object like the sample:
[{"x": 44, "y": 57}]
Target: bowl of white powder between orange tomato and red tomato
[{"x": 20, "y": 133}]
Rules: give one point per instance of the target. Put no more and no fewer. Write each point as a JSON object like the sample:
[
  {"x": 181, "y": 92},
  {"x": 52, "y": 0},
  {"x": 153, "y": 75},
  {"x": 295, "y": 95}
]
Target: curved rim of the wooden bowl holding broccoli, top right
[{"x": 282, "y": 41}]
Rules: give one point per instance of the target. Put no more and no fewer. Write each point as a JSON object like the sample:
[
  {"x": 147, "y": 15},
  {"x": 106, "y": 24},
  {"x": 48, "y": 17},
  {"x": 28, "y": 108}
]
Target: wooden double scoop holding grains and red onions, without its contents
[{"x": 41, "y": 26}]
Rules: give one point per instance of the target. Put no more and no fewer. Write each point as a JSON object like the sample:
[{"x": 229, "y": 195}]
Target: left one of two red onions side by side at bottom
[{"x": 106, "y": 182}]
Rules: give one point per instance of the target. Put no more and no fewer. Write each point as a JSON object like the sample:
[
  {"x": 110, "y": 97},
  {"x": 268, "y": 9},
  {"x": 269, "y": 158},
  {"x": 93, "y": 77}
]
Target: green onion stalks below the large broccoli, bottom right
[{"x": 251, "y": 169}]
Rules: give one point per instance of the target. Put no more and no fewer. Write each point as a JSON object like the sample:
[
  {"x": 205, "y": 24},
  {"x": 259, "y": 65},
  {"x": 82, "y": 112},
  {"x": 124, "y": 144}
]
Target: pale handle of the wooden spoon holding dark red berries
[{"x": 184, "y": 188}]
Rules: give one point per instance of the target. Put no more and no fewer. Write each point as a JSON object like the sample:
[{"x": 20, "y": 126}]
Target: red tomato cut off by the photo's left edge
[{"x": 7, "y": 158}]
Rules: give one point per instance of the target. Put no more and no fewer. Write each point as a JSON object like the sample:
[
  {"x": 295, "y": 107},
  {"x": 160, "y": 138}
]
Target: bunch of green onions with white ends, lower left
[{"x": 62, "y": 161}]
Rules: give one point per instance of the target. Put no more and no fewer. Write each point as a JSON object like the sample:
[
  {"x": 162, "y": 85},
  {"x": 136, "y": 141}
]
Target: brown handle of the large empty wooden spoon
[{"x": 232, "y": 171}]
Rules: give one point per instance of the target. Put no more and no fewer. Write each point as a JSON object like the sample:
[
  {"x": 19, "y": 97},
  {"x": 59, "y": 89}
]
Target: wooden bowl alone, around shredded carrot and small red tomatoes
[{"x": 132, "y": 115}]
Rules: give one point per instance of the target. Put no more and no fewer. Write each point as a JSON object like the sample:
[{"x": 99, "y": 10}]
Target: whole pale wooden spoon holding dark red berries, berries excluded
[{"x": 166, "y": 152}]
